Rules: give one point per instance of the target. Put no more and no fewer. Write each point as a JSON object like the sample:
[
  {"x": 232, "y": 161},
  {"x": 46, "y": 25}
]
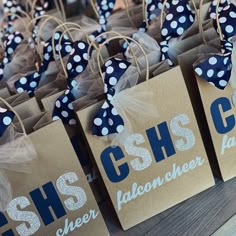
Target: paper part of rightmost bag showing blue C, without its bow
[{"x": 214, "y": 108}]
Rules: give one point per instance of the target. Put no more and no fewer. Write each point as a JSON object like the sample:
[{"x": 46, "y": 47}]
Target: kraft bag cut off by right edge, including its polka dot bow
[{"x": 214, "y": 99}]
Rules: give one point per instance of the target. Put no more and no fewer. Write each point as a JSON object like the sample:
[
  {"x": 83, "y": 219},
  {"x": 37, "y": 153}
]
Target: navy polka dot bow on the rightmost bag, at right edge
[{"x": 217, "y": 69}]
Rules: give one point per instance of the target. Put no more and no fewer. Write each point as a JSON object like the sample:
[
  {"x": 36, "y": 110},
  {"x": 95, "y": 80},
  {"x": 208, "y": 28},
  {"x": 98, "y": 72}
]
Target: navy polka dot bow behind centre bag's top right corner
[{"x": 180, "y": 17}]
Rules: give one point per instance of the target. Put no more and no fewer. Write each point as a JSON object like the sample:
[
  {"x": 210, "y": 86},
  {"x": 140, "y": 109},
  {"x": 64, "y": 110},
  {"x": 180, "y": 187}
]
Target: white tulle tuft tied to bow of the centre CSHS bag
[{"x": 130, "y": 105}]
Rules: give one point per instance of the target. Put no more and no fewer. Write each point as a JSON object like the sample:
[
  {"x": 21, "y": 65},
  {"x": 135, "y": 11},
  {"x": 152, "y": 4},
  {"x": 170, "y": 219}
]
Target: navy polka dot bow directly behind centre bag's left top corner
[{"x": 77, "y": 63}]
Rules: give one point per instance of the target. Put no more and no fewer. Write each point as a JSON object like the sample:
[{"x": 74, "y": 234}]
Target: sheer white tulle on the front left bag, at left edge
[{"x": 16, "y": 153}]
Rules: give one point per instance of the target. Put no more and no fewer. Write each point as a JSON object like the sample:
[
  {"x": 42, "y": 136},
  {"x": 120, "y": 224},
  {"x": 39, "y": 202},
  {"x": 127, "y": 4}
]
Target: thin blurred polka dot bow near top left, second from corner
[{"x": 38, "y": 11}]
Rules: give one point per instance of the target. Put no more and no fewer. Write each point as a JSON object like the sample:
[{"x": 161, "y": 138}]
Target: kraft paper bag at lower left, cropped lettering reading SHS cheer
[{"x": 54, "y": 198}]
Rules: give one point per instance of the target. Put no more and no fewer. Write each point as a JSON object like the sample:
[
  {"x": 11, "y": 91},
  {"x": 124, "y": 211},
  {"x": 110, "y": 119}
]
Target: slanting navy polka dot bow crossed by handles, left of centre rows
[{"x": 30, "y": 82}]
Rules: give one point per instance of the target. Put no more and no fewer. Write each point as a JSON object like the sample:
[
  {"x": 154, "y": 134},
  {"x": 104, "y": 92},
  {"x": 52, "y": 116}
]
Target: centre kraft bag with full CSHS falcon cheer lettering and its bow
[{"x": 146, "y": 143}]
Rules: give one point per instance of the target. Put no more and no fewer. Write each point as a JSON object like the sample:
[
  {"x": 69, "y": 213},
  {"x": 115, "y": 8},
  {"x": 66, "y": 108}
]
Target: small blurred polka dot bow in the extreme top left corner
[{"x": 11, "y": 6}]
